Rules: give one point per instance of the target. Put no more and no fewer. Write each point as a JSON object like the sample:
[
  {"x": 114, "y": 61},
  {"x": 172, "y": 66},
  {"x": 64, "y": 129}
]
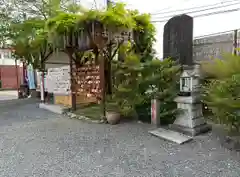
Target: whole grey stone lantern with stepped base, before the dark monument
[{"x": 190, "y": 120}]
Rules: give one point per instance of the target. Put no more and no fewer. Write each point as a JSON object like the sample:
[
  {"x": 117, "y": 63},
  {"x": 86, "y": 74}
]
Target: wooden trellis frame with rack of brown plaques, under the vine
[{"x": 88, "y": 82}]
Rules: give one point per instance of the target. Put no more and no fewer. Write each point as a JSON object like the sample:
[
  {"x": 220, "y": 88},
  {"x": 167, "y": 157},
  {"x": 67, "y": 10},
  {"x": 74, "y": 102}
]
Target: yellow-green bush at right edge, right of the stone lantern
[{"x": 221, "y": 92}]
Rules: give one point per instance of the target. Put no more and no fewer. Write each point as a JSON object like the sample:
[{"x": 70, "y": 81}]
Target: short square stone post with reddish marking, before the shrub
[{"x": 155, "y": 118}]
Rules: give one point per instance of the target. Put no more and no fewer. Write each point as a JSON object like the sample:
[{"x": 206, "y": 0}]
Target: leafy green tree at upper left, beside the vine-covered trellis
[{"x": 23, "y": 23}]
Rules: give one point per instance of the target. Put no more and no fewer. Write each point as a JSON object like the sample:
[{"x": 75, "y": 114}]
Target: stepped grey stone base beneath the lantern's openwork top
[{"x": 190, "y": 120}]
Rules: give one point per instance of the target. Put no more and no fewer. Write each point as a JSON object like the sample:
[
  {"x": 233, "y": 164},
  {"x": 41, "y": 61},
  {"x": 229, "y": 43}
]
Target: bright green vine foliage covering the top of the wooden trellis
[{"x": 114, "y": 17}]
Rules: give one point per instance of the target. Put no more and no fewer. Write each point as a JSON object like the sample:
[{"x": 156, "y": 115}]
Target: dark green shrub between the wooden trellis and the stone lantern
[{"x": 136, "y": 83}]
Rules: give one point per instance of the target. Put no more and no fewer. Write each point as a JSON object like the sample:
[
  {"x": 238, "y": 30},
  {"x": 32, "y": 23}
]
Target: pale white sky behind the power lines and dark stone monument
[{"x": 202, "y": 25}]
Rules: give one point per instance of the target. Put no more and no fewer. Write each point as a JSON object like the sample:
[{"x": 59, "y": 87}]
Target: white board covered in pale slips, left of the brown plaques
[{"x": 58, "y": 80}]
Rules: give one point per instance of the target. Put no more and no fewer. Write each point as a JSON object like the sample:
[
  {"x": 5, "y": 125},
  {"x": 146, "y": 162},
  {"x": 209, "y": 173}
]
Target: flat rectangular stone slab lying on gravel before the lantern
[{"x": 171, "y": 135}]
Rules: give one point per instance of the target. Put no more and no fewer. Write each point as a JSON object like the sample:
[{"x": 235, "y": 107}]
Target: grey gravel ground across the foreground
[{"x": 37, "y": 143}]
